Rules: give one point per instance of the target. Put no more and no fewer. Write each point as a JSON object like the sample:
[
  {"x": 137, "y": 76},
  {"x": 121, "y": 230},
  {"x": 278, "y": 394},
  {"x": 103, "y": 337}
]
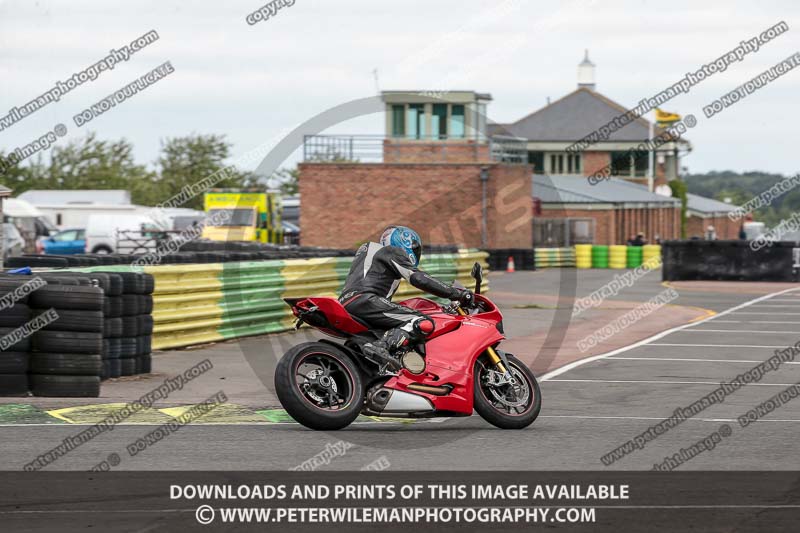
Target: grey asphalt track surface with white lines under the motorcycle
[{"x": 589, "y": 408}]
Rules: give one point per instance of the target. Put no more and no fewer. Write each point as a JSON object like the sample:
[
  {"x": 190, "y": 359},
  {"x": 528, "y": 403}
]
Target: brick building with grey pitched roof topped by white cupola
[{"x": 609, "y": 212}]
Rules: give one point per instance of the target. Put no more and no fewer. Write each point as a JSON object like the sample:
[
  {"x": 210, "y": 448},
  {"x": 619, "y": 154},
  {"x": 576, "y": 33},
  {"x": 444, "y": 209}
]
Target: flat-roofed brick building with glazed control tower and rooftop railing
[{"x": 434, "y": 171}]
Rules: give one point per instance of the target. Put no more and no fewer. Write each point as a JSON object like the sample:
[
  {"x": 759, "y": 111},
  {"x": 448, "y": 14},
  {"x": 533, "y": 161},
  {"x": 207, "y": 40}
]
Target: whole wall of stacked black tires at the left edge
[{"x": 73, "y": 331}]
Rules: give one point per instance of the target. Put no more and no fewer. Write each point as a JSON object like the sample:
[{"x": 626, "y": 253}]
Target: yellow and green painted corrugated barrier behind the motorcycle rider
[{"x": 201, "y": 303}]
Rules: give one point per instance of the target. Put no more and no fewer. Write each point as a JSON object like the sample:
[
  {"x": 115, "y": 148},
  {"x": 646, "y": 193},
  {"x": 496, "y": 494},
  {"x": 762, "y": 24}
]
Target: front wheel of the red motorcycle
[{"x": 506, "y": 405}]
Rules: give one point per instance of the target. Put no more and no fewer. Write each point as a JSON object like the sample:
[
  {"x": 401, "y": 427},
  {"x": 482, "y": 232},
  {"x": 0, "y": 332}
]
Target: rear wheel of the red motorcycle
[{"x": 319, "y": 386}]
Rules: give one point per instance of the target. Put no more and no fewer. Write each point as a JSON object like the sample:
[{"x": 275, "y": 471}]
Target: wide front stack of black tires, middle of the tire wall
[{"x": 66, "y": 360}]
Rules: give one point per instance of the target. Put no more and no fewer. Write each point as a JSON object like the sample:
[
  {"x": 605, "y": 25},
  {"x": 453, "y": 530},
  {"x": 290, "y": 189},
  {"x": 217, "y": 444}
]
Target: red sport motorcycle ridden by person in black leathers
[{"x": 325, "y": 385}]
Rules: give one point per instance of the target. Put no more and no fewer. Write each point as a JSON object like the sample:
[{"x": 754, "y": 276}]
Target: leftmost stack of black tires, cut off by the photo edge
[{"x": 14, "y": 359}]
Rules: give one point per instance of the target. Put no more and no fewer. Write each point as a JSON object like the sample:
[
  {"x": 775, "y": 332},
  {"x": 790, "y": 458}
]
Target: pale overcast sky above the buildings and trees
[{"x": 254, "y": 83}]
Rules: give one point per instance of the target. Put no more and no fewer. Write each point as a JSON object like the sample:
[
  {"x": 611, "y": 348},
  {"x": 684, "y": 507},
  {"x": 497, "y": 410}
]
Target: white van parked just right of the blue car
[{"x": 119, "y": 233}]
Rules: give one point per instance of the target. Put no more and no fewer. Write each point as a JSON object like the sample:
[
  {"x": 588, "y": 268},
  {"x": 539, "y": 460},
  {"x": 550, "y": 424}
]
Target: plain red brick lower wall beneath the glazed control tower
[{"x": 353, "y": 202}]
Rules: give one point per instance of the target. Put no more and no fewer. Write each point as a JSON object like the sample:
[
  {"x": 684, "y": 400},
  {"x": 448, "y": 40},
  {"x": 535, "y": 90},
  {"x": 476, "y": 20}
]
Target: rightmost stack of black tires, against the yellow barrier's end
[{"x": 132, "y": 346}]
